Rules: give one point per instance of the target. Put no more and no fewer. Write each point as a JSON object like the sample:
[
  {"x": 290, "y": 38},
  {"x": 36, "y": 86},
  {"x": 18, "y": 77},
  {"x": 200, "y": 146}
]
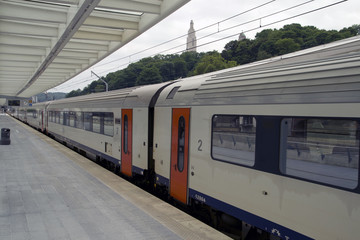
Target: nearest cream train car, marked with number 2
[{"x": 273, "y": 143}]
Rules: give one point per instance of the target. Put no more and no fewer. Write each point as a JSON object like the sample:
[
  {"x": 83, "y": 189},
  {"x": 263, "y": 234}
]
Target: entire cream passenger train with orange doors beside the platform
[{"x": 273, "y": 144}]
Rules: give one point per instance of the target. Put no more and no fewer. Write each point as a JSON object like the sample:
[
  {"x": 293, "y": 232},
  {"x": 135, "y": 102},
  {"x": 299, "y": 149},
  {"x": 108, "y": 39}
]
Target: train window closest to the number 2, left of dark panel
[{"x": 233, "y": 139}]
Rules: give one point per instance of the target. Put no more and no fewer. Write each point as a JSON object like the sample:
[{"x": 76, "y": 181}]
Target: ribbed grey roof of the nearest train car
[{"x": 324, "y": 74}]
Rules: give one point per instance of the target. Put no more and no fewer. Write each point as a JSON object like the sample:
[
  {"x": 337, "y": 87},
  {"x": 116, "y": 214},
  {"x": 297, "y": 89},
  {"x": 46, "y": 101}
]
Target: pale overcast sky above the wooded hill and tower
[{"x": 221, "y": 19}]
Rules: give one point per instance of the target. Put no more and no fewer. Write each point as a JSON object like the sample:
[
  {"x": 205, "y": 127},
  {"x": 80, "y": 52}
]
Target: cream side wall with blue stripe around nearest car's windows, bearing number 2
[{"x": 288, "y": 207}]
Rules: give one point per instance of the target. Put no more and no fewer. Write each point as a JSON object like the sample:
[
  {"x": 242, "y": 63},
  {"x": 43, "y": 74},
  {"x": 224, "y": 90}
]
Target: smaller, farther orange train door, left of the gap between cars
[{"x": 126, "y": 149}]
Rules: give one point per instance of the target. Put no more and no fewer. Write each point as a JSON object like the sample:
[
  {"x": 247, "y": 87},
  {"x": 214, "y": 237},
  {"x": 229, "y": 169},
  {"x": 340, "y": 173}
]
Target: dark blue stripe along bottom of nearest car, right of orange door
[{"x": 259, "y": 222}]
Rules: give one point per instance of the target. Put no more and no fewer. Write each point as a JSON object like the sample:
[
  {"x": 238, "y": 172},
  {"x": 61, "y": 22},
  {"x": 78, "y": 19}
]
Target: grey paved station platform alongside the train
[{"x": 48, "y": 191}]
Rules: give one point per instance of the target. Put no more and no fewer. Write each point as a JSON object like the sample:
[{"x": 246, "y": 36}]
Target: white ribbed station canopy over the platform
[{"x": 44, "y": 43}]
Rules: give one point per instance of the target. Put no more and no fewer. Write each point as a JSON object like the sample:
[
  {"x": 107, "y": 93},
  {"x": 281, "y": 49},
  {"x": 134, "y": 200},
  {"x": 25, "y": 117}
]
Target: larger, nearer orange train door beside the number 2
[{"x": 179, "y": 153}]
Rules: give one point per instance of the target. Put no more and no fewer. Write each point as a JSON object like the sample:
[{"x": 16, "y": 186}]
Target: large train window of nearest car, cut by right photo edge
[{"x": 321, "y": 150}]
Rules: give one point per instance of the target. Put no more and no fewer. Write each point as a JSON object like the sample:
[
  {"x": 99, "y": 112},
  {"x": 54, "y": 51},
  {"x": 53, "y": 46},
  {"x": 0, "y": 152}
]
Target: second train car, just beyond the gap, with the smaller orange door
[{"x": 112, "y": 125}]
